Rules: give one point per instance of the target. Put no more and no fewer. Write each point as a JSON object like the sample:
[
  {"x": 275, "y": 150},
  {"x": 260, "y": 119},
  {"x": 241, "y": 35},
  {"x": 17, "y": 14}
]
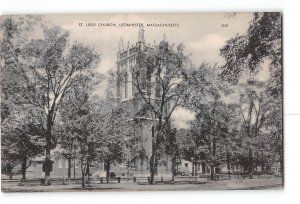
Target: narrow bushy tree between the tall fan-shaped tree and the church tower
[{"x": 79, "y": 125}]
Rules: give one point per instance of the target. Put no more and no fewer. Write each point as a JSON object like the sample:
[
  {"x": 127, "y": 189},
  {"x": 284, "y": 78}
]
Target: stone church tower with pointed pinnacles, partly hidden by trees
[{"x": 129, "y": 96}]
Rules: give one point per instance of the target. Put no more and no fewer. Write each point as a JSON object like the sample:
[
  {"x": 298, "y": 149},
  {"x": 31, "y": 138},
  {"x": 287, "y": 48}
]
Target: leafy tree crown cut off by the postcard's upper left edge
[{"x": 13, "y": 30}]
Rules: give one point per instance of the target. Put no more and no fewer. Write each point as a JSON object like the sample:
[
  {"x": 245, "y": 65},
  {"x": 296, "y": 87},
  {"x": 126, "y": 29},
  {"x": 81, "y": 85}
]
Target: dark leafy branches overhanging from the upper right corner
[{"x": 247, "y": 52}]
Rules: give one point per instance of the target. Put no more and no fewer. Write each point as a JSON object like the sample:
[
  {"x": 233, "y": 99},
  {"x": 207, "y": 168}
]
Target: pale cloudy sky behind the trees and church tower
[{"x": 201, "y": 33}]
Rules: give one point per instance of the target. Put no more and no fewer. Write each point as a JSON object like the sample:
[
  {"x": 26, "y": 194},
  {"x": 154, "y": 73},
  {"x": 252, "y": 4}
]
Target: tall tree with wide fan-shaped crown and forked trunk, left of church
[{"x": 47, "y": 69}]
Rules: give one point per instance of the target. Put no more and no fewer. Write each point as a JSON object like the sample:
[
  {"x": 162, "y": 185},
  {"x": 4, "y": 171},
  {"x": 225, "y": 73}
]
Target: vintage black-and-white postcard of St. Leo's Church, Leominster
[{"x": 131, "y": 102}]
